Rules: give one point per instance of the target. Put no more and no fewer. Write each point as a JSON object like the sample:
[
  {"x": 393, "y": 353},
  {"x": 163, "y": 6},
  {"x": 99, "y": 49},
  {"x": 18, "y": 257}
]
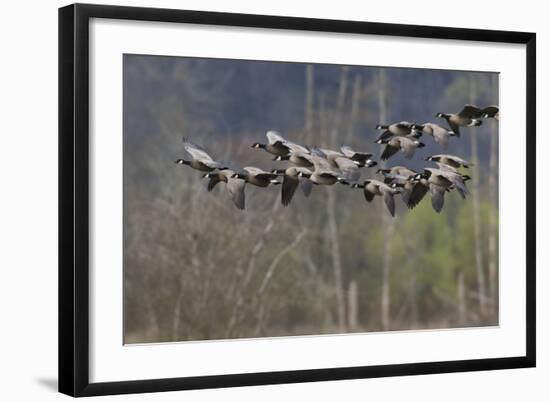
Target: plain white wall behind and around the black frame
[{"x": 28, "y": 200}]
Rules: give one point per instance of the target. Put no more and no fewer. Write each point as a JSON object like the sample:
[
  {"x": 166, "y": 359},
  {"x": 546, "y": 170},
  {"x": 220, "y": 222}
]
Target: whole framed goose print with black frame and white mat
[{"x": 249, "y": 199}]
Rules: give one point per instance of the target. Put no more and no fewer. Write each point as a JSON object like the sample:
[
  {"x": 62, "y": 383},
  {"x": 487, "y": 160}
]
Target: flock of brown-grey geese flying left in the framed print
[{"x": 320, "y": 166}]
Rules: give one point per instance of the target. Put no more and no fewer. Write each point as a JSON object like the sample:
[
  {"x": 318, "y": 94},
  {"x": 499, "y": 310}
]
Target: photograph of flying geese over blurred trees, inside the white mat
[{"x": 271, "y": 198}]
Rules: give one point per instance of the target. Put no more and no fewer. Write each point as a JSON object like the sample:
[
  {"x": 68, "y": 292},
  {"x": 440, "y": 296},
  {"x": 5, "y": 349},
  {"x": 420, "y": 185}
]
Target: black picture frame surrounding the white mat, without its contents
[{"x": 74, "y": 192}]
